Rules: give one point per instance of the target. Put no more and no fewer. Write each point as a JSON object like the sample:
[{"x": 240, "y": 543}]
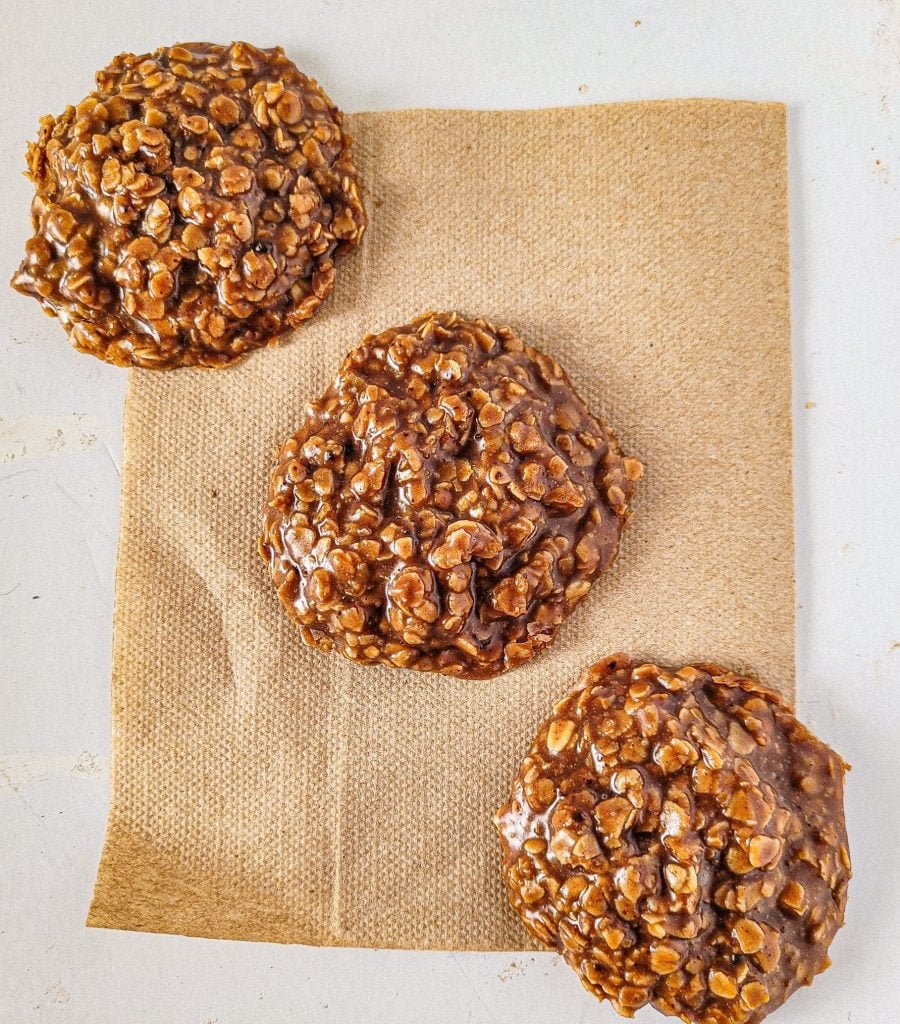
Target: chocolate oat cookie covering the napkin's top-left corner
[{"x": 190, "y": 210}]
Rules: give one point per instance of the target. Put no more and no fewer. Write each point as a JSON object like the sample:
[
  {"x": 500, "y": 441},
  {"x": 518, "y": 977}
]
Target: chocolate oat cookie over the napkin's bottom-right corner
[{"x": 679, "y": 838}]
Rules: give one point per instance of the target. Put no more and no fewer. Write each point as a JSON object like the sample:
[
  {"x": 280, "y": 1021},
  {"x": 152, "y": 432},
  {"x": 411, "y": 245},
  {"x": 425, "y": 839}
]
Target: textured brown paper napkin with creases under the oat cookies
[{"x": 266, "y": 791}]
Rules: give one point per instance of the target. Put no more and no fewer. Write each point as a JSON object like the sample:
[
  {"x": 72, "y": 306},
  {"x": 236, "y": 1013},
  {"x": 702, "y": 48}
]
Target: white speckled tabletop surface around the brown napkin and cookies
[{"x": 838, "y": 67}]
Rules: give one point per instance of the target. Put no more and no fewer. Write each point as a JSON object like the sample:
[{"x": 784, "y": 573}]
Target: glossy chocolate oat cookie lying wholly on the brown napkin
[{"x": 446, "y": 504}]
